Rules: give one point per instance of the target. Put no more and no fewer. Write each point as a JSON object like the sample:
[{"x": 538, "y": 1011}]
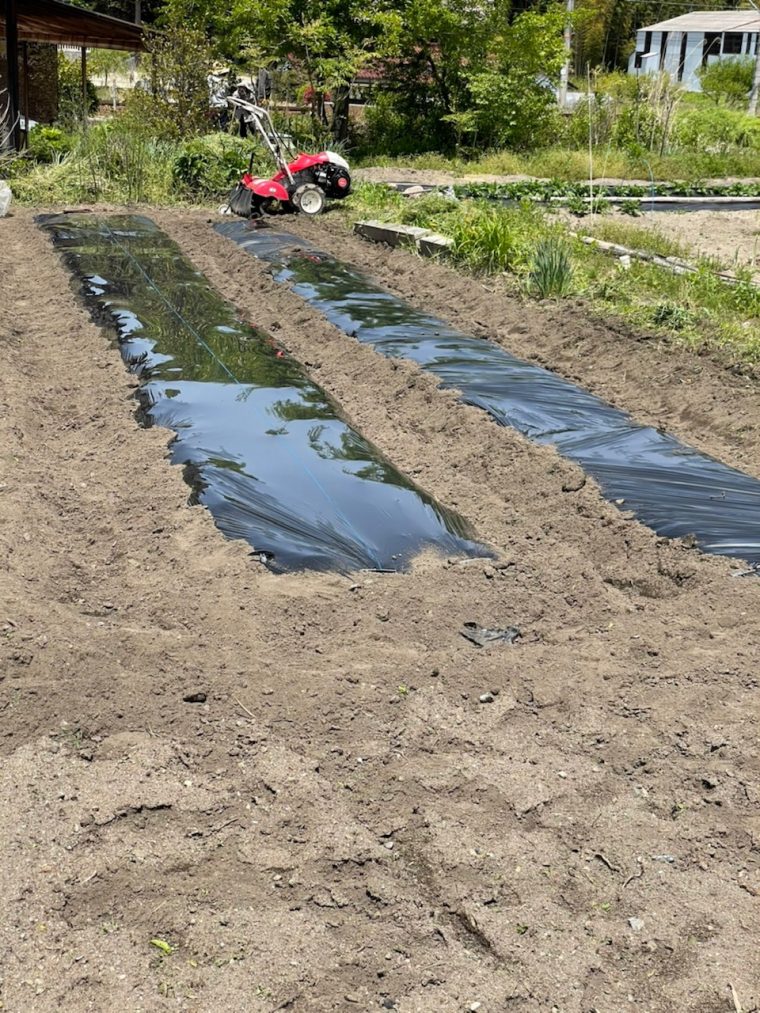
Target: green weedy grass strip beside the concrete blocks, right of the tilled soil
[{"x": 538, "y": 255}]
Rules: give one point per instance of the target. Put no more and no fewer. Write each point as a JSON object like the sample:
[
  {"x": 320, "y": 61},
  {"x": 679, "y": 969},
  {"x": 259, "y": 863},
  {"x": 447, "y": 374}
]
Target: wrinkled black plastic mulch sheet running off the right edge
[{"x": 668, "y": 486}]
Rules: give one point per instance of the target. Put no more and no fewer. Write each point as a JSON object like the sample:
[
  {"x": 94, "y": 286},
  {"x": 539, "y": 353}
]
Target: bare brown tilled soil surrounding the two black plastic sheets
[{"x": 341, "y": 824}]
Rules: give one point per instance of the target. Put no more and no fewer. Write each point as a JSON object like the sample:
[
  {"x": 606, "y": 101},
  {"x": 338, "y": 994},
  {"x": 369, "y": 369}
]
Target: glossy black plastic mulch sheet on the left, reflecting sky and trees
[{"x": 264, "y": 447}]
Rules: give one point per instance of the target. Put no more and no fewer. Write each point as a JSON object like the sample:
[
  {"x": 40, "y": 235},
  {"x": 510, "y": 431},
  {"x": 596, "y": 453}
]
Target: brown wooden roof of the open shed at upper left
[{"x": 54, "y": 22}]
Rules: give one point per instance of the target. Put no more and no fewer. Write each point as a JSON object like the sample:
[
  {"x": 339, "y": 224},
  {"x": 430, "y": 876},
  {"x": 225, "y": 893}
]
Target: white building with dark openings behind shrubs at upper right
[{"x": 682, "y": 45}]
